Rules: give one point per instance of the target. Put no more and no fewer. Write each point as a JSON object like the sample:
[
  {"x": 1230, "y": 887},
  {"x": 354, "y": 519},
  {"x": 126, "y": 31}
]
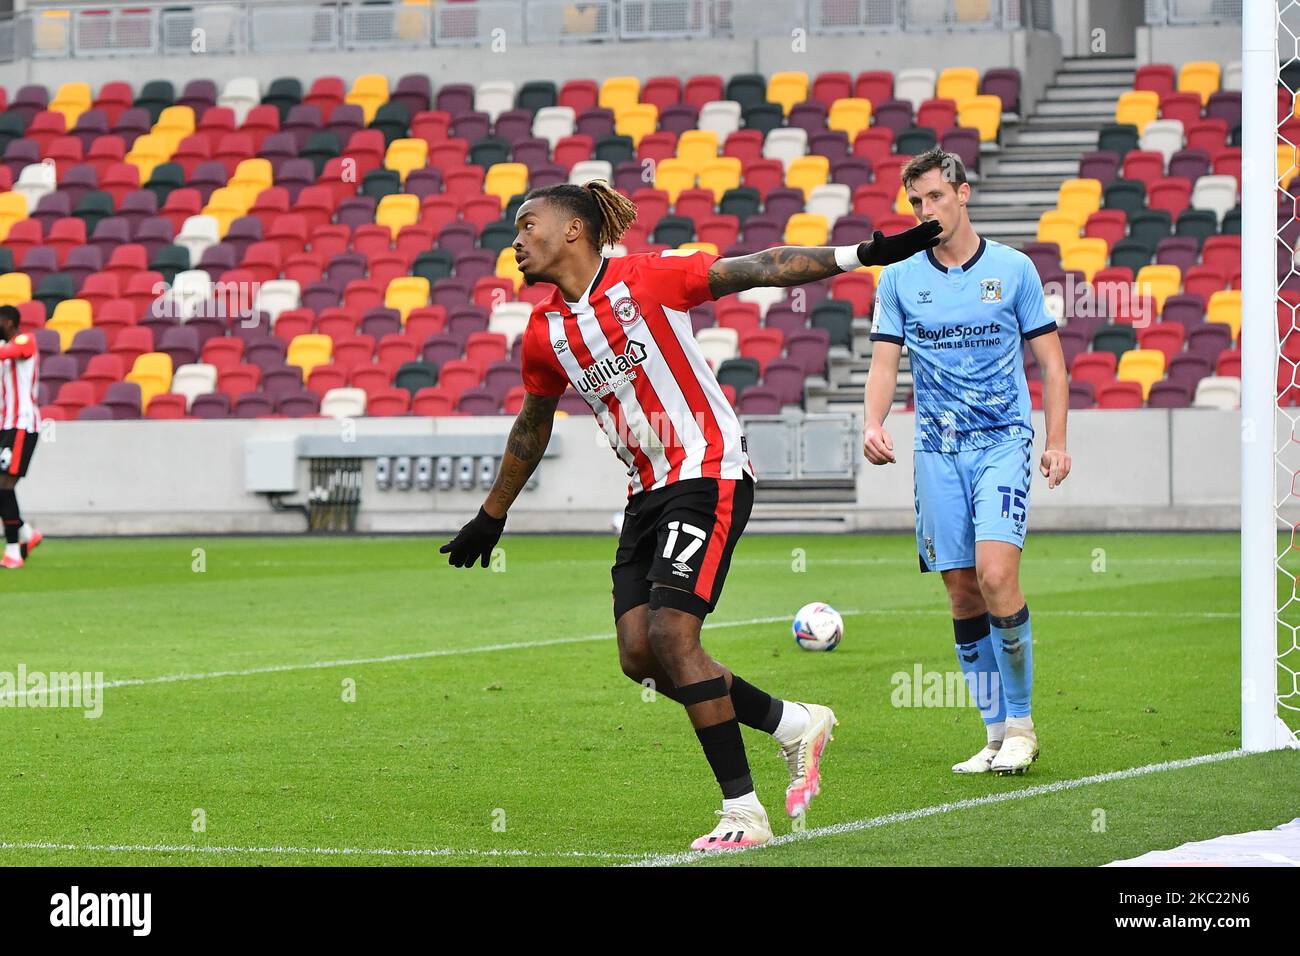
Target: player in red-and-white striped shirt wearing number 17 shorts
[{"x": 619, "y": 332}]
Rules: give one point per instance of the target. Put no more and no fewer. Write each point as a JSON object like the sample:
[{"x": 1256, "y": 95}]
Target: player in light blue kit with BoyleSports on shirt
[{"x": 965, "y": 310}]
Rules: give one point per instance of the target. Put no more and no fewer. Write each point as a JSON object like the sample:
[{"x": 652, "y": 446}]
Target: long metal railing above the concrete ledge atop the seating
[{"x": 240, "y": 27}]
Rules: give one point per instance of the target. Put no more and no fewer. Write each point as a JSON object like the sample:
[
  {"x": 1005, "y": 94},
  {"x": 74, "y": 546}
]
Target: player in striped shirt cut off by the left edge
[{"x": 20, "y": 426}]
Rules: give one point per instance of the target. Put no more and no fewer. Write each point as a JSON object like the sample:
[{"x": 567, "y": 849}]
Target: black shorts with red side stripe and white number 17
[{"x": 682, "y": 537}]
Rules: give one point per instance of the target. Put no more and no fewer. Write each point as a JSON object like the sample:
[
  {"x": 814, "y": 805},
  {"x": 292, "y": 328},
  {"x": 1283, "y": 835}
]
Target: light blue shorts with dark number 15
[{"x": 970, "y": 496}]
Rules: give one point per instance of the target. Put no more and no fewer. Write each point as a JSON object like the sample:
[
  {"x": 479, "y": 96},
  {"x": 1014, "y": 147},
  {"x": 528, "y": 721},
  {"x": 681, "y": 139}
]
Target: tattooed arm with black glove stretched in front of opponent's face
[{"x": 786, "y": 266}]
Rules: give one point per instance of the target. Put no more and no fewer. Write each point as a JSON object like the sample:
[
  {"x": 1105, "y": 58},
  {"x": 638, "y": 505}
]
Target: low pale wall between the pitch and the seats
[{"x": 1133, "y": 470}]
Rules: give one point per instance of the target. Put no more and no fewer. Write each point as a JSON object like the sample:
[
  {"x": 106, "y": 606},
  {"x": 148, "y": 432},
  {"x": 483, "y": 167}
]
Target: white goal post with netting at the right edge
[{"x": 1271, "y": 471}]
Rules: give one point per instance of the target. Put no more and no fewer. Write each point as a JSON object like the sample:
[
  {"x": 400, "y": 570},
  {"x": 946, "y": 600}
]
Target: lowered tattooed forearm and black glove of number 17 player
[{"x": 528, "y": 440}]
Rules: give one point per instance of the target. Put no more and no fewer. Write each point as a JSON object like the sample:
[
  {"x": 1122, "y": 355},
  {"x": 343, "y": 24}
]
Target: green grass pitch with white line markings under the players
[{"x": 356, "y": 700}]
